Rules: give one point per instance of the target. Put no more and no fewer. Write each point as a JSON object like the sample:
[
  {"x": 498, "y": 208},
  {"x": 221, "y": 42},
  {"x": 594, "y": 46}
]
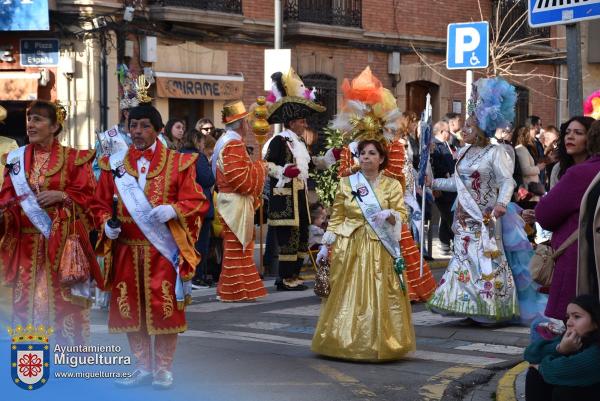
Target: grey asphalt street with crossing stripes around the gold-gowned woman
[{"x": 261, "y": 351}]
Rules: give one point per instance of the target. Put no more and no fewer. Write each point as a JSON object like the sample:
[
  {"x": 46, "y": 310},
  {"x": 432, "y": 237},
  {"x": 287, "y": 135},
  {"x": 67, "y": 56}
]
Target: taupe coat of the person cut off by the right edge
[{"x": 590, "y": 206}]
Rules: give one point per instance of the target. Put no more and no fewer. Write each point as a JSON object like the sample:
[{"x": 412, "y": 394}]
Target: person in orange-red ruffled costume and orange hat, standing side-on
[{"x": 240, "y": 182}]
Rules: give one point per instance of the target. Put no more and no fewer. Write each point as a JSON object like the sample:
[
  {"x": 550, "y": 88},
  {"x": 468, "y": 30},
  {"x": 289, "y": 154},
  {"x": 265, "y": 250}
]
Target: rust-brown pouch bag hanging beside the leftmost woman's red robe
[{"x": 74, "y": 265}]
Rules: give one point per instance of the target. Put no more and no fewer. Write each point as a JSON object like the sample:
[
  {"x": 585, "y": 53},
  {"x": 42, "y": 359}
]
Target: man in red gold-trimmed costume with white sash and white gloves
[{"x": 150, "y": 257}]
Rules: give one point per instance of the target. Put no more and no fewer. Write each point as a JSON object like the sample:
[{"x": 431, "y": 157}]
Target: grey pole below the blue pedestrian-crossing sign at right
[{"x": 574, "y": 84}]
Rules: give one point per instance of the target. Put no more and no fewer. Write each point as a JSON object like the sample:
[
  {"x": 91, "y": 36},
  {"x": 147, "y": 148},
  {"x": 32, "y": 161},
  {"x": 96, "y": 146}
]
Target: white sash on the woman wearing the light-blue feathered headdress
[{"x": 487, "y": 247}]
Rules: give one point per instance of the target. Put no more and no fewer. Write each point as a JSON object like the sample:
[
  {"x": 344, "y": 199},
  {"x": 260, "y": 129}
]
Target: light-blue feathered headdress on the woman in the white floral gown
[{"x": 492, "y": 104}]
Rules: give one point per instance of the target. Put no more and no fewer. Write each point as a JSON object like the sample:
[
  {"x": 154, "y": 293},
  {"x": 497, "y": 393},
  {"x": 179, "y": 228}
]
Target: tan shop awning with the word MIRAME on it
[{"x": 199, "y": 86}]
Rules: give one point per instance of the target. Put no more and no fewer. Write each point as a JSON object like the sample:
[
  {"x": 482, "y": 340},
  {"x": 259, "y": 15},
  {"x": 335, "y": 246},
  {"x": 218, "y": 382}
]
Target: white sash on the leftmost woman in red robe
[{"x": 38, "y": 216}]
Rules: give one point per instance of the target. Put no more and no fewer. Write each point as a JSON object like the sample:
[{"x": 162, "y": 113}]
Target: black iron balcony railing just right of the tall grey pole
[{"x": 327, "y": 12}]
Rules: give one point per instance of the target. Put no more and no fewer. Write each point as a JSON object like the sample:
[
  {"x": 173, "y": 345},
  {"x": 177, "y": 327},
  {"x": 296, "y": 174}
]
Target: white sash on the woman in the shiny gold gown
[{"x": 369, "y": 205}]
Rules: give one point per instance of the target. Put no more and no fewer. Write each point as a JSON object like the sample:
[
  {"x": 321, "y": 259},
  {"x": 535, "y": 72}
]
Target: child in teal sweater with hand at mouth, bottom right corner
[{"x": 566, "y": 368}]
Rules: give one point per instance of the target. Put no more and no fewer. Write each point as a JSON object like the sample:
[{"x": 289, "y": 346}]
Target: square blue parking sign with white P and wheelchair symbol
[{"x": 468, "y": 45}]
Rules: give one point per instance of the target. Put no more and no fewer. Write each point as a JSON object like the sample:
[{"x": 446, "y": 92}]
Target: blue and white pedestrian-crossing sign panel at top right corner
[{"x": 558, "y": 12}]
